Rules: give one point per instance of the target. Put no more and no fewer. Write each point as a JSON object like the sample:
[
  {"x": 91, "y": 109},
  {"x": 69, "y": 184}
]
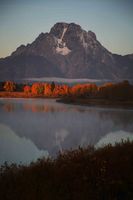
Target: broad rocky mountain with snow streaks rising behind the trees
[{"x": 66, "y": 51}]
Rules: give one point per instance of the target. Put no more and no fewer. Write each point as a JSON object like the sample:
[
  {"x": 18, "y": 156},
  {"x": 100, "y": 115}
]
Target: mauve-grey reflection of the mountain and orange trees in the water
[{"x": 53, "y": 126}]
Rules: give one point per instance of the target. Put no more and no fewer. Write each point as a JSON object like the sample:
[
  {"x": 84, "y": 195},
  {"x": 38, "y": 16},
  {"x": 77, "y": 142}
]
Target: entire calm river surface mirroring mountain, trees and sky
[{"x": 33, "y": 128}]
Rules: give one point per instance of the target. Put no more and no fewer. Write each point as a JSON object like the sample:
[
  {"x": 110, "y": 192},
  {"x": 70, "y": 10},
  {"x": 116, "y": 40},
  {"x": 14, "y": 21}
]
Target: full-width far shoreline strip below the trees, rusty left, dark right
[{"x": 73, "y": 100}]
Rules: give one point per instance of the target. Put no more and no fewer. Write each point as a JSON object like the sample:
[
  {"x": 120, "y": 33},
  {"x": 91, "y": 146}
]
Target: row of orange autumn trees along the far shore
[{"x": 119, "y": 91}]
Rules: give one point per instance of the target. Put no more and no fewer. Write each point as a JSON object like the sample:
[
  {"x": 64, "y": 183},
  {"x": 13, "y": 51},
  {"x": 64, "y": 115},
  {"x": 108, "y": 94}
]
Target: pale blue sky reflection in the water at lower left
[{"x": 16, "y": 149}]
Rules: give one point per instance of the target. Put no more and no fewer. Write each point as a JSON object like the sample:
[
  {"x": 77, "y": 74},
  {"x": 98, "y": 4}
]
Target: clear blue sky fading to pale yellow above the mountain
[{"x": 22, "y": 21}]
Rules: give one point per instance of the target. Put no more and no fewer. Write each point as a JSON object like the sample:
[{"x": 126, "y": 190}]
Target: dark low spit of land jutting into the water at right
[{"x": 96, "y": 102}]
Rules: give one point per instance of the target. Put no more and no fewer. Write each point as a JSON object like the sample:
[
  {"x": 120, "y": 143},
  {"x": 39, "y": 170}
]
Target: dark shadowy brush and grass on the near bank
[{"x": 83, "y": 174}]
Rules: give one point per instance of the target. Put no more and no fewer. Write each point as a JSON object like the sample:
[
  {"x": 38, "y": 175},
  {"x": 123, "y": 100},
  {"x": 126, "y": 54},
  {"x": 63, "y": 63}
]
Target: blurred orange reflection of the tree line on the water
[{"x": 118, "y": 117}]
